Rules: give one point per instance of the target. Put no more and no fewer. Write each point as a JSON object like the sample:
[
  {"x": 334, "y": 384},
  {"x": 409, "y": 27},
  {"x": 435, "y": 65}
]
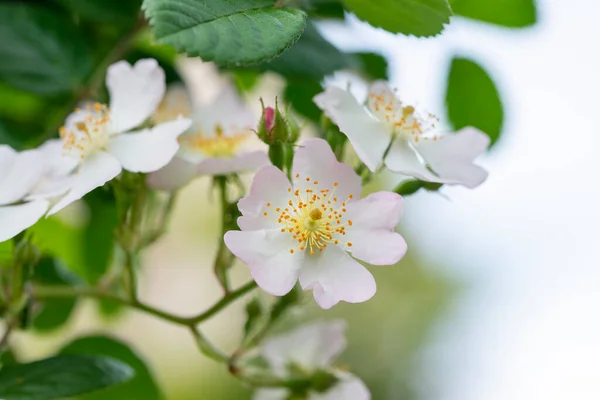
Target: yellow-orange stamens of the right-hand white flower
[{"x": 401, "y": 121}]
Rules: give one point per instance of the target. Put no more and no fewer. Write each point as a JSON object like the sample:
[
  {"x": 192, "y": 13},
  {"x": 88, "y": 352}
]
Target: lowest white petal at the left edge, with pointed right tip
[{"x": 15, "y": 219}]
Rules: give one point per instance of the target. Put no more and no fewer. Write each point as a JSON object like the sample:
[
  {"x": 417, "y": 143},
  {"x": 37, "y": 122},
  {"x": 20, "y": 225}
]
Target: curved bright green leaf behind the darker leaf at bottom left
[{"x": 141, "y": 387}]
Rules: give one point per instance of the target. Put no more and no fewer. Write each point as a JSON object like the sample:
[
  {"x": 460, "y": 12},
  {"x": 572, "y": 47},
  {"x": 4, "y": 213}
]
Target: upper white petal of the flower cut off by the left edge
[{"x": 21, "y": 175}]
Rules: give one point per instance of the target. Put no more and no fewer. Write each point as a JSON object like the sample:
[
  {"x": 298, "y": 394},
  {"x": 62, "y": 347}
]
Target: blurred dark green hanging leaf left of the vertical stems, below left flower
[{"x": 98, "y": 238}]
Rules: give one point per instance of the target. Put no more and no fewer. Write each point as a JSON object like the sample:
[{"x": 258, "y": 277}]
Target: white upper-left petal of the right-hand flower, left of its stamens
[{"x": 368, "y": 136}]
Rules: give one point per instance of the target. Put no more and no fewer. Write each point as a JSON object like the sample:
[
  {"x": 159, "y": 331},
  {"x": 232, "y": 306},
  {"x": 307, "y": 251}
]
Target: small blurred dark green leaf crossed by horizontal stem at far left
[{"x": 54, "y": 312}]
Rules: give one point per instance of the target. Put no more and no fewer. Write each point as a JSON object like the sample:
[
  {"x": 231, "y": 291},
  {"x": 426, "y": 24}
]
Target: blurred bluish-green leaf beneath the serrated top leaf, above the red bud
[{"x": 311, "y": 57}]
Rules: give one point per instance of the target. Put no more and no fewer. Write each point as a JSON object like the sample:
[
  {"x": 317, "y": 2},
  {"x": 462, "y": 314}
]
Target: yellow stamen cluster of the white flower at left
[{"x": 88, "y": 134}]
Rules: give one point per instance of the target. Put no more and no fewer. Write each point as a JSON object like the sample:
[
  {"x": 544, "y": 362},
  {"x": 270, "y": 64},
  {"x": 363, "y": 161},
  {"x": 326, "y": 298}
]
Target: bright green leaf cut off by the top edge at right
[{"x": 510, "y": 13}]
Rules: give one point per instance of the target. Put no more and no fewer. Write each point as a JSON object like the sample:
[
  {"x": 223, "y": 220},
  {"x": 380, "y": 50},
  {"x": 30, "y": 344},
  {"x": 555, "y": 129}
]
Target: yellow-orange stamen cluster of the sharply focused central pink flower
[{"x": 314, "y": 217}]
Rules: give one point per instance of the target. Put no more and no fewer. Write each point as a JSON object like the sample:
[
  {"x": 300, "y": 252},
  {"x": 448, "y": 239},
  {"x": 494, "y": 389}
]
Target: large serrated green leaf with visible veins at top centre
[{"x": 234, "y": 32}]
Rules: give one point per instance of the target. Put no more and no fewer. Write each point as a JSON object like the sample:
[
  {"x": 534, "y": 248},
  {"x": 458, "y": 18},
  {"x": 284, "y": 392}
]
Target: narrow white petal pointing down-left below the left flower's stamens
[{"x": 94, "y": 171}]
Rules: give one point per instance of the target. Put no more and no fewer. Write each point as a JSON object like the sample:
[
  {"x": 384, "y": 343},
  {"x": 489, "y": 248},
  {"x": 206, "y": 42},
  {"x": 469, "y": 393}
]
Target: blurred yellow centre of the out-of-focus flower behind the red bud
[{"x": 218, "y": 146}]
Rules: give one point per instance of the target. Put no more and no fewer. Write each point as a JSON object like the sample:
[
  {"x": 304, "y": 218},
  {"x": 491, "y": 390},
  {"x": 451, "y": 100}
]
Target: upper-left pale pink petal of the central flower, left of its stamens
[{"x": 269, "y": 186}]
